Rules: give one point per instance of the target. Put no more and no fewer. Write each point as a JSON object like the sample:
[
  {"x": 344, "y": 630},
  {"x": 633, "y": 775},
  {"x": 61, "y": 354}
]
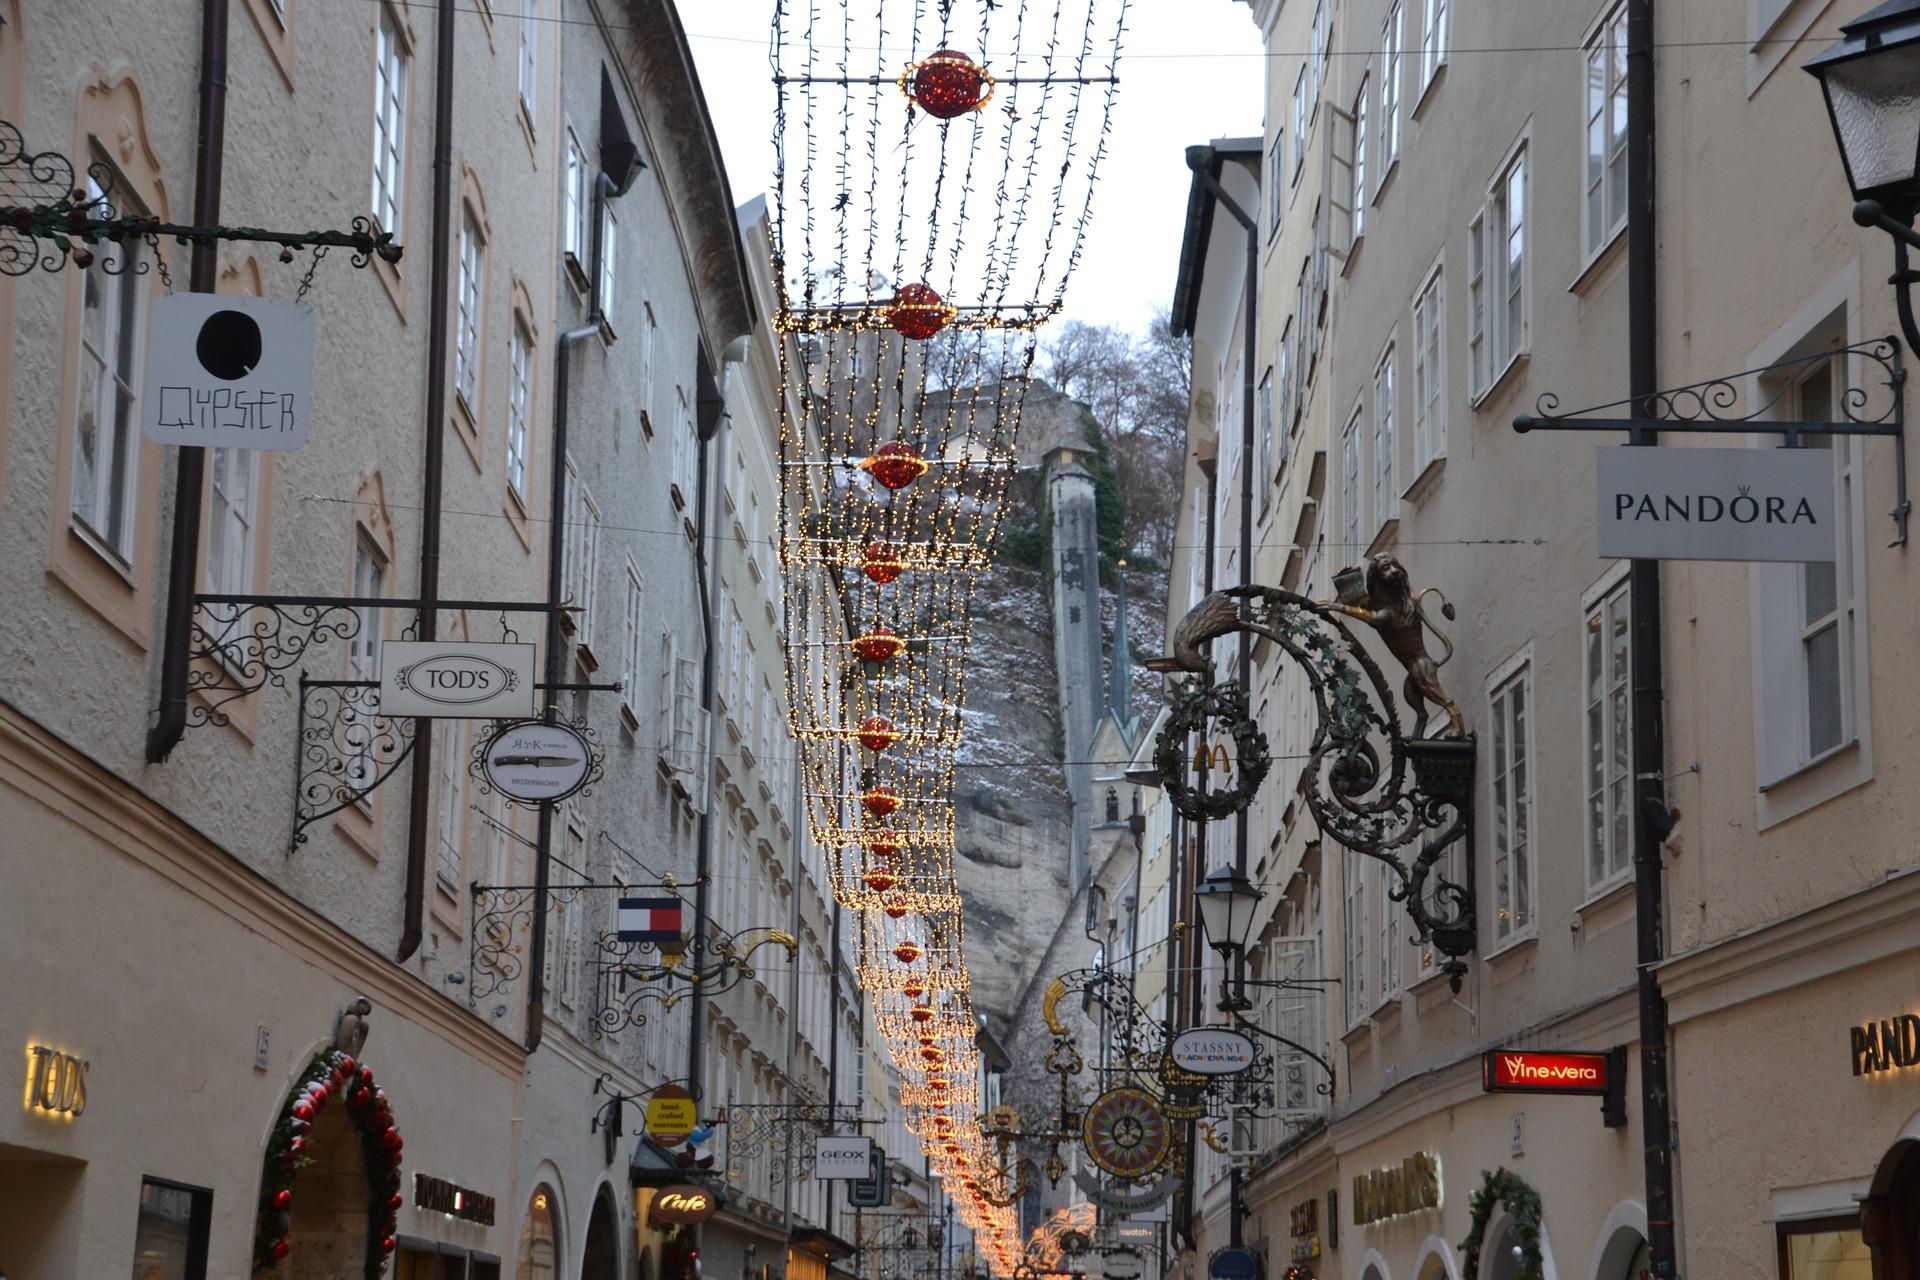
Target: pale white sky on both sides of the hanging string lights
[{"x": 1189, "y": 72}]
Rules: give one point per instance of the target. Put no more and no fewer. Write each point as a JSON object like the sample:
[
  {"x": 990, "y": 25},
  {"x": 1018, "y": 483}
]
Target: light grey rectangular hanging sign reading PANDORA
[{"x": 1716, "y": 504}]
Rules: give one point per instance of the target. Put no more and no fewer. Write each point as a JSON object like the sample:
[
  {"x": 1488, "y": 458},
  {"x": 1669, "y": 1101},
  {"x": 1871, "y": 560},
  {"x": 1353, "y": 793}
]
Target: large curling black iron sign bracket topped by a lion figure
[{"x": 1381, "y": 792}]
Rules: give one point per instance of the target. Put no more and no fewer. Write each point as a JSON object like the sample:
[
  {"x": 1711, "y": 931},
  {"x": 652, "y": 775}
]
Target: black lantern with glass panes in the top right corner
[{"x": 1871, "y": 80}]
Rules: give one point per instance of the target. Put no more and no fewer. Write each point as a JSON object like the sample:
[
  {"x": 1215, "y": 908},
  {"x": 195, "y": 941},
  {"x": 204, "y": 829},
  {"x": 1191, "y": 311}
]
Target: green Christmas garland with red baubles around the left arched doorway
[{"x": 327, "y": 1078}]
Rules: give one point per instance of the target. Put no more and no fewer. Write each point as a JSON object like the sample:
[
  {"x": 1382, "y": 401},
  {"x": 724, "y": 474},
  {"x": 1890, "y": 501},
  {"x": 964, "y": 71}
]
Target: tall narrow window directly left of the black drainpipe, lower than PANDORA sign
[{"x": 1608, "y": 736}]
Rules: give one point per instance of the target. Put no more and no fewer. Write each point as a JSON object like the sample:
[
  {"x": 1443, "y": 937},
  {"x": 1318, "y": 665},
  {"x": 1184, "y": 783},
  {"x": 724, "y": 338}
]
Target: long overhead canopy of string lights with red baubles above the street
[{"x": 928, "y": 210}]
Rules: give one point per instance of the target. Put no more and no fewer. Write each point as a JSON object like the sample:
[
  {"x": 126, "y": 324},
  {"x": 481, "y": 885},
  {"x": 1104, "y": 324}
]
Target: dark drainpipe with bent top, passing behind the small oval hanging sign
[{"x": 556, "y": 644}]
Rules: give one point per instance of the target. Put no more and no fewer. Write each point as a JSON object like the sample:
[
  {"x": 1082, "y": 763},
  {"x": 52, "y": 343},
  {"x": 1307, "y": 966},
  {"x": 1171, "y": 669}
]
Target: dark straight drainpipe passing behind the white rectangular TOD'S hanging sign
[{"x": 421, "y": 784}]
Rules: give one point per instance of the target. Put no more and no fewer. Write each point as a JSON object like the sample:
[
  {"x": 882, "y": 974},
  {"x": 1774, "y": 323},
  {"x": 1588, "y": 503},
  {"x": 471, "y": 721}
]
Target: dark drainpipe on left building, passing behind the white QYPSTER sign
[{"x": 191, "y": 467}]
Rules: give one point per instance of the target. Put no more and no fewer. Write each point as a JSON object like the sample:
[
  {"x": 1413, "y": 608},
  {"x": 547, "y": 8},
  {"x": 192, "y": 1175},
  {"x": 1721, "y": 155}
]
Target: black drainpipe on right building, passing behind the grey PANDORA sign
[{"x": 1652, "y": 820}]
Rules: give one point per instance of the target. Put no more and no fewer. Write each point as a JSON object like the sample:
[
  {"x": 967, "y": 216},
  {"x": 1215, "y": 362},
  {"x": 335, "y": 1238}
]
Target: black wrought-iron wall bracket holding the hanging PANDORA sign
[{"x": 1716, "y": 408}]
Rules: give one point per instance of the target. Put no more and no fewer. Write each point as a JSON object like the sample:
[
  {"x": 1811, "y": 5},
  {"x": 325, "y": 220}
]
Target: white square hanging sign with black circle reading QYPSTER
[{"x": 229, "y": 373}]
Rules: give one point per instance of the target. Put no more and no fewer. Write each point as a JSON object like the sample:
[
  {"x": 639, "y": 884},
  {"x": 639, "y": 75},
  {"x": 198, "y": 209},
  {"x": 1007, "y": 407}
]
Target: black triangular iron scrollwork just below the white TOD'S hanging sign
[{"x": 347, "y": 749}]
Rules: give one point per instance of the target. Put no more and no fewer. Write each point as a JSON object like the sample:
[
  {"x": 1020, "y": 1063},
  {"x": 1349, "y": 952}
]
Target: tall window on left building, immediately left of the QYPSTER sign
[{"x": 107, "y": 446}]
